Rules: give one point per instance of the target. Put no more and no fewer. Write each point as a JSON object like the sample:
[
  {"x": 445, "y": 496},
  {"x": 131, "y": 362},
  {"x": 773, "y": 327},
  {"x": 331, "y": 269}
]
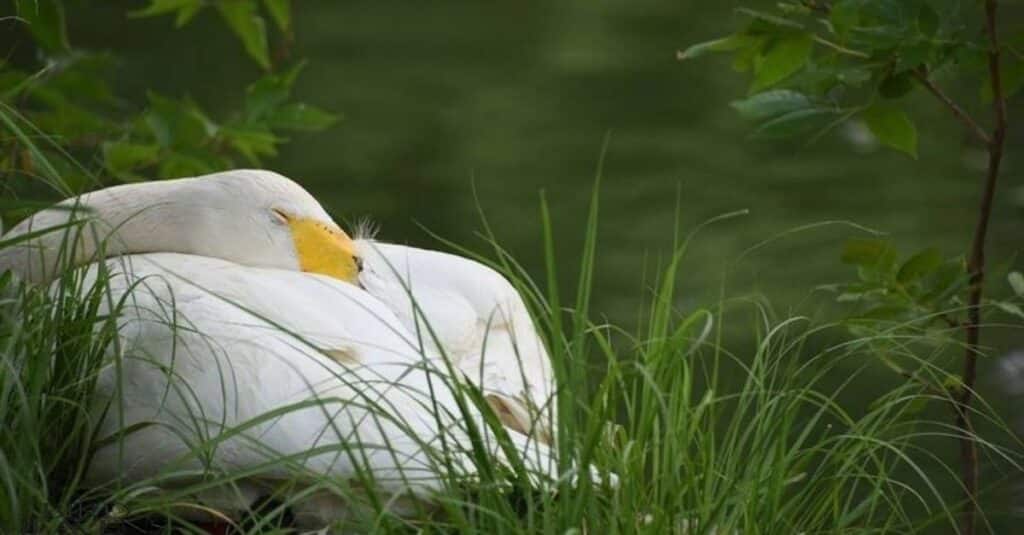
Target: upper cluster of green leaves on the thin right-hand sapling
[{"x": 817, "y": 65}]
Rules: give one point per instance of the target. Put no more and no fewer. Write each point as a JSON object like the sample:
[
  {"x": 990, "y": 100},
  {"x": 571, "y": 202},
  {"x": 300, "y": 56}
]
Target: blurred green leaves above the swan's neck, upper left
[{"x": 67, "y": 94}]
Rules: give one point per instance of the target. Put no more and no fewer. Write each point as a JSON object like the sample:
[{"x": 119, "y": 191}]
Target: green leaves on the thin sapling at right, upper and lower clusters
[{"x": 816, "y": 65}]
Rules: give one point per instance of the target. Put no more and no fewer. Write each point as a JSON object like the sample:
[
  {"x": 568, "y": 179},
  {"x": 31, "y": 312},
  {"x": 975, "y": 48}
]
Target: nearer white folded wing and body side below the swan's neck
[{"x": 209, "y": 350}]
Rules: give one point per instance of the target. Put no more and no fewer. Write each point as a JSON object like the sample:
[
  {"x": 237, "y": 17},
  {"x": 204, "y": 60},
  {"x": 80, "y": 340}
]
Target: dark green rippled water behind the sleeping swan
[{"x": 515, "y": 98}]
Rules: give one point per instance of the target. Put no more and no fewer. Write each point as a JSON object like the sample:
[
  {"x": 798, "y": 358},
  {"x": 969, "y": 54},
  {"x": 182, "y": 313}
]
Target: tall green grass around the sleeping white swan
[{"x": 702, "y": 436}]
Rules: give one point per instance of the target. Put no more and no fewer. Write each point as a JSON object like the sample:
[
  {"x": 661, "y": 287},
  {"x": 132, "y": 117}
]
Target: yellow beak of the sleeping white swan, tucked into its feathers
[{"x": 325, "y": 250}]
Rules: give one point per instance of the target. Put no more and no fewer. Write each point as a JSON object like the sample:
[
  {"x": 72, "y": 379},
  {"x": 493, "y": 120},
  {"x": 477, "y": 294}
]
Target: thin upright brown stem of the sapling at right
[{"x": 976, "y": 267}]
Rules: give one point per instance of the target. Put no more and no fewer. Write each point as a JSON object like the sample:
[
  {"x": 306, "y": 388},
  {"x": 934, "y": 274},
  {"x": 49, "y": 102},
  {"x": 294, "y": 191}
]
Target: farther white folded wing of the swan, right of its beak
[{"x": 474, "y": 316}]
